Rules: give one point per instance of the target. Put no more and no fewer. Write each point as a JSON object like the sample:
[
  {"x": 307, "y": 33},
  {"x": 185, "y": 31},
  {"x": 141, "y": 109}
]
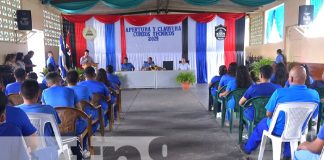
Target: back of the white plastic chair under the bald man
[{"x": 296, "y": 115}]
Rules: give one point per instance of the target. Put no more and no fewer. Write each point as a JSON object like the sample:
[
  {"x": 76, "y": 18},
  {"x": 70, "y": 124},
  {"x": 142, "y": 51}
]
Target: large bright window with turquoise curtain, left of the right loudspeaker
[{"x": 274, "y": 24}]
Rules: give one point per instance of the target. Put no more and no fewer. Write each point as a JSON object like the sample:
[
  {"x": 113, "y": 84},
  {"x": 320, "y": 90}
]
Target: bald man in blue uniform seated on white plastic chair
[{"x": 297, "y": 92}]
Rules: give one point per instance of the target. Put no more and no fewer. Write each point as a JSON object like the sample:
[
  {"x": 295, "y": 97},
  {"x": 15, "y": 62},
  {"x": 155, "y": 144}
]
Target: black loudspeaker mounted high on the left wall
[{"x": 24, "y": 20}]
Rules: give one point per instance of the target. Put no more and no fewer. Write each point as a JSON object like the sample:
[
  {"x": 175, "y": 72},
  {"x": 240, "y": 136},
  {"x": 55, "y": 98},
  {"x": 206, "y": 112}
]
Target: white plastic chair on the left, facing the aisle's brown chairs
[{"x": 39, "y": 120}]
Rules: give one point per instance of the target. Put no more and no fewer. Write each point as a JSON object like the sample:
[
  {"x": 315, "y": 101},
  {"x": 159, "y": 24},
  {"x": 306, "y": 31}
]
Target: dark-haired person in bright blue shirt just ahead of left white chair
[{"x": 57, "y": 95}]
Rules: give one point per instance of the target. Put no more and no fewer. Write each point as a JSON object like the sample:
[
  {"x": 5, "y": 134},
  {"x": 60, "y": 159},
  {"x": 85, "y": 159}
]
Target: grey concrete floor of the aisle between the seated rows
[{"x": 182, "y": 122}]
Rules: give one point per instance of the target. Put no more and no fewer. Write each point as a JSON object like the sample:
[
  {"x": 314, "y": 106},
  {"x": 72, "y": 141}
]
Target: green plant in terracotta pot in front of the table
[{"x": 186, "y": 79}]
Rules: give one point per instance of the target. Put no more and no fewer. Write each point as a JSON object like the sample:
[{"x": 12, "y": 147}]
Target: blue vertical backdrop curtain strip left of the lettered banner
[{"x": 110, "y": 45}]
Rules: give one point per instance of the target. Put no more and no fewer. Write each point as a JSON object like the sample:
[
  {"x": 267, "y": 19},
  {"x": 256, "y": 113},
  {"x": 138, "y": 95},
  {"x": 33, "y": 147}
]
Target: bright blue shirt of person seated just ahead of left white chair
[{"x": 59, "y": 96}]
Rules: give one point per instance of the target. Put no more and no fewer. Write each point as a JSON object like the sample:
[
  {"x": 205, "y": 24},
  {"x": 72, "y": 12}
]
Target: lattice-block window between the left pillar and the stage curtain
[{"x": 52, "y": 28}]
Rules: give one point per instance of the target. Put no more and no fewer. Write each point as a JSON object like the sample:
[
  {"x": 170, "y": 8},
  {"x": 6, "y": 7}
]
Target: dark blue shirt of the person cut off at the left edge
[{"x": 19, "y": 118}]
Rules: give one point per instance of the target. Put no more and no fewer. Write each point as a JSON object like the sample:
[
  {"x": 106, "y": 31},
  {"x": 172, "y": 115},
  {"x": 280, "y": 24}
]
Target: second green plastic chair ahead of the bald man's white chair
[{"x": 237, "y": 94}]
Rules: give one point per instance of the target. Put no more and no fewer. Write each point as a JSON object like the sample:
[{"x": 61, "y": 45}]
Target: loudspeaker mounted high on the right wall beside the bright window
[{"x": 306, "y": 14}]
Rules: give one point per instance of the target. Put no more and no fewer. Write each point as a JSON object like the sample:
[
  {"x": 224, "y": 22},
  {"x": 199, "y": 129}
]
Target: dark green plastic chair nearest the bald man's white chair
[{"x": 258, "y": 104}]
